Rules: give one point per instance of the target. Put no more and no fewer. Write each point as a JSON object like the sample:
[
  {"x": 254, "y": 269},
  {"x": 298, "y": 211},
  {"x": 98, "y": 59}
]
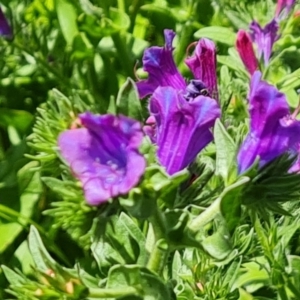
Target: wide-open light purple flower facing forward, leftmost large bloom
[{"x": 104, "y": 155}]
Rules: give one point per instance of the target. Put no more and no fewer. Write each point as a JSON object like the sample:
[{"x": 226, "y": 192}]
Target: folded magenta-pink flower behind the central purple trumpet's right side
[{"x": 203, "y": 65}]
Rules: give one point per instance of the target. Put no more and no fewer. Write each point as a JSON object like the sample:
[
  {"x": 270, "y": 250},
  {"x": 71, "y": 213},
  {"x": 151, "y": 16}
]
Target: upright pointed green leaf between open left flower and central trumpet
[{"x": 128, "y": 102}]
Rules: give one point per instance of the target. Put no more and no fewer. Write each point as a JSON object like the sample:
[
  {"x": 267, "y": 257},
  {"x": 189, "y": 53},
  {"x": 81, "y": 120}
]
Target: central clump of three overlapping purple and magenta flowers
[{"x": 184, "y": 113}]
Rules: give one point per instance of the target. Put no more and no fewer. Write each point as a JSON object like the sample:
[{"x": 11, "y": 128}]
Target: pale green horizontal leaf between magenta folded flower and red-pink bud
[{"x": 217, "y": 33}]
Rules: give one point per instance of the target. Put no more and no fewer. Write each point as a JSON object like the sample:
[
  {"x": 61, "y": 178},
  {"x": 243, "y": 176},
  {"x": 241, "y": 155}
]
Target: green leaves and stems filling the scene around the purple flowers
[{"x": 203, "y": 233}]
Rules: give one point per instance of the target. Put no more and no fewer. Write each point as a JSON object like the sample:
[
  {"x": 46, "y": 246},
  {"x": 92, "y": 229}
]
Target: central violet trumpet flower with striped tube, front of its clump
[{"x": 183, "y": 128}]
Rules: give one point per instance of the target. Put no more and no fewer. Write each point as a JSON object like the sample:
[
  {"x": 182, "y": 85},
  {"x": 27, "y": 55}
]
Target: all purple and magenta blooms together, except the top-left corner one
[{"x": 104, "y": 152}]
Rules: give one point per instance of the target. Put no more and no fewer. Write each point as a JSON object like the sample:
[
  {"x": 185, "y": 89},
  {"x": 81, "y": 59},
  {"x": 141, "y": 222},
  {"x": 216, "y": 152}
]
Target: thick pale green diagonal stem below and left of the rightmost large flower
[{"x": 208, "y": 215}]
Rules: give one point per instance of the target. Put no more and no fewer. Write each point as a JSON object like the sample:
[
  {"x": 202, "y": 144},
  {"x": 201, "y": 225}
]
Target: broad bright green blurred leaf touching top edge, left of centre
[{"x": 67, "y": 18}]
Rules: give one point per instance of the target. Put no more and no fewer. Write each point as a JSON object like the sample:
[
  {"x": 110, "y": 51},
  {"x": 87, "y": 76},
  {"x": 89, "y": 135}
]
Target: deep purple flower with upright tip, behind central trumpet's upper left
[{"x": 160, "y": 65}]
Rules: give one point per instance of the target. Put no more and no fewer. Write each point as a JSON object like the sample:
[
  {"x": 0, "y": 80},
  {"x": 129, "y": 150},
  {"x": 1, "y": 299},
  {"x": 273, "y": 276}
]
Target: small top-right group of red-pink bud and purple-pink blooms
[{"x": 263, "y": 37}]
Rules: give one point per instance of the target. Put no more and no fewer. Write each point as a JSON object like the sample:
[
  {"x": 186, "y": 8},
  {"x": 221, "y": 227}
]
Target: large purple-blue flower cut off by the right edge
[{"x": 273, "y": 130}]
